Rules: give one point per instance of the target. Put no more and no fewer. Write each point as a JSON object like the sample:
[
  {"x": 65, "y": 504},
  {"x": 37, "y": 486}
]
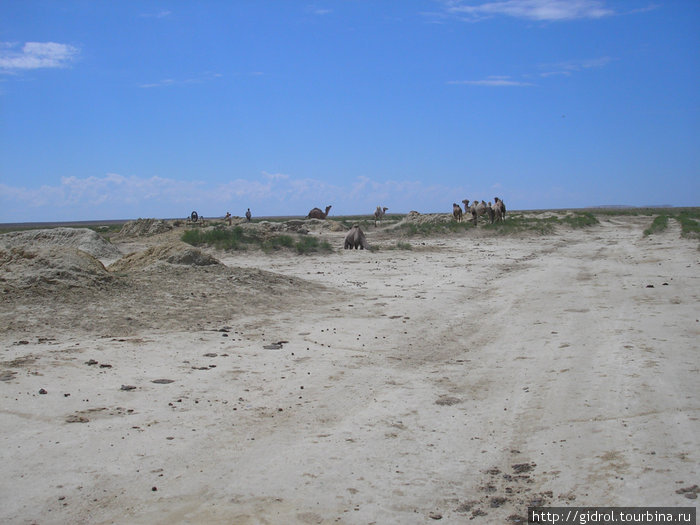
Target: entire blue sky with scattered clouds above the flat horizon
[{"x": 126, "y": 109}]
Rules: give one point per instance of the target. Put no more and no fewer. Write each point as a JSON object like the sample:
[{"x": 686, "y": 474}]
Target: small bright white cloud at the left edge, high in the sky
[{"x": 35, "y": 55}]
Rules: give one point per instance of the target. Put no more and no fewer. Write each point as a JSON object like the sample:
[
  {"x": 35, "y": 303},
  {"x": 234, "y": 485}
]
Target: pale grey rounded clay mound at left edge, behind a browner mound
[{"x": 83, "y": 239}]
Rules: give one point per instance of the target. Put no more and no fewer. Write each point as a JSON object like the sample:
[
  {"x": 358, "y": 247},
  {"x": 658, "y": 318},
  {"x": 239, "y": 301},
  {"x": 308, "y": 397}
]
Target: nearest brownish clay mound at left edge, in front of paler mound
[{"x": 44, "y": 270}]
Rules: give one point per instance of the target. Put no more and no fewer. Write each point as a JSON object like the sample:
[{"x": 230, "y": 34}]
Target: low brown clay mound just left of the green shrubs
[{"x": 176, "y": 253}]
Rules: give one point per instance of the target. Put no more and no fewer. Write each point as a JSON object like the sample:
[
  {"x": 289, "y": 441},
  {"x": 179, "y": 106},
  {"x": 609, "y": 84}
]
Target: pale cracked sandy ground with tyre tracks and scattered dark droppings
[{"x": 457, "y": 382}]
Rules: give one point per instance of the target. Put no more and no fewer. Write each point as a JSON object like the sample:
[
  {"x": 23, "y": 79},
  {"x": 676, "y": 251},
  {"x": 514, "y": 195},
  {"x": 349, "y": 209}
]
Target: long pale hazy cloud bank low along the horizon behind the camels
[{"x": 115, "y": 196}]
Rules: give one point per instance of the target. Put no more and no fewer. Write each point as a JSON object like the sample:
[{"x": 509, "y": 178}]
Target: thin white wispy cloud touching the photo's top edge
[{"x": 538, "y": 10}]
